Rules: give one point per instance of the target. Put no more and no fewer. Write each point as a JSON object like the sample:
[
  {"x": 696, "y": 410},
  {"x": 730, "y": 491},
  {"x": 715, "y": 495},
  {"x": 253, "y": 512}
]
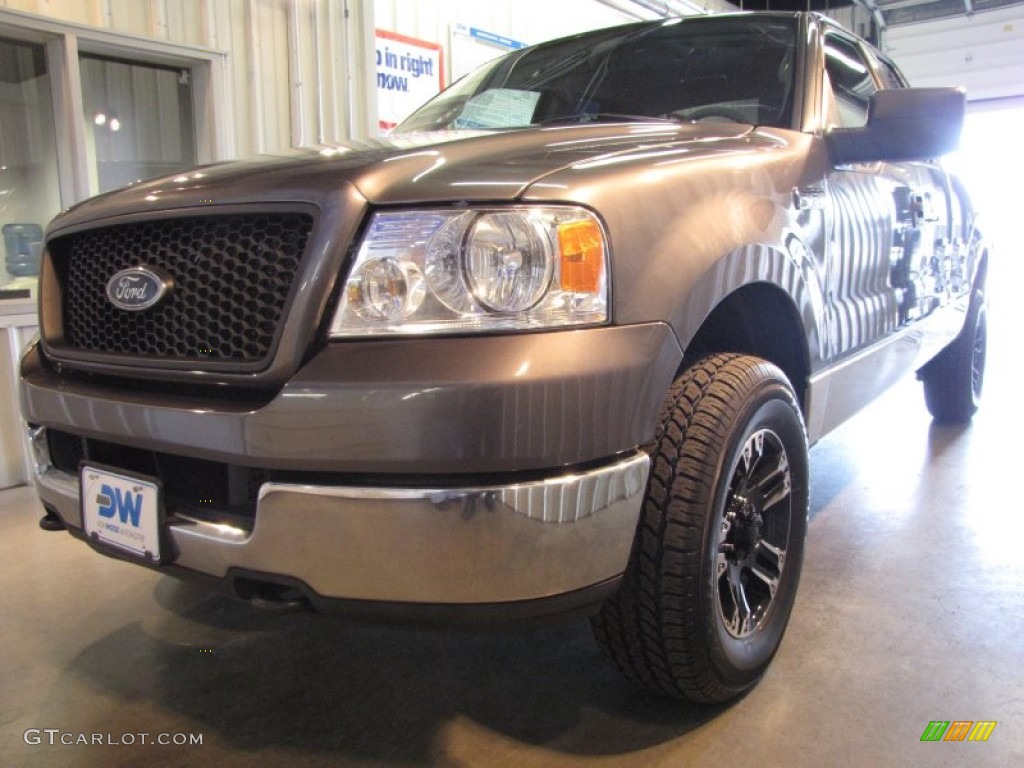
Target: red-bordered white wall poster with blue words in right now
[{"x": 409, "y": 72}]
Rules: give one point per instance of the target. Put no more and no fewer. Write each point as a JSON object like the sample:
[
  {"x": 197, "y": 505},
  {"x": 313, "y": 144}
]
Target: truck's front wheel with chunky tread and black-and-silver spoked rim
[{"x": 718, "y": 552}]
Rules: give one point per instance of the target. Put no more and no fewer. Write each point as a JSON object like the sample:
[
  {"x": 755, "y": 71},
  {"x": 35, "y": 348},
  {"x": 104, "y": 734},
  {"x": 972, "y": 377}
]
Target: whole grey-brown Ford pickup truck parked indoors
[{"x": 556, "y": 348}]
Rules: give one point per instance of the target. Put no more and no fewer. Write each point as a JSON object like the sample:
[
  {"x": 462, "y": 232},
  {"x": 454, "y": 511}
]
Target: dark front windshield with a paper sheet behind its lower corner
[{"x": 738, "y": 69}]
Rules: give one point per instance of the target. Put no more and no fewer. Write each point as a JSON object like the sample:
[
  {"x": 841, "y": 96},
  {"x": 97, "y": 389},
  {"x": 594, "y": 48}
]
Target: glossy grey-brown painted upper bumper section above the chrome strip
[{"x": 503, "y": 404}]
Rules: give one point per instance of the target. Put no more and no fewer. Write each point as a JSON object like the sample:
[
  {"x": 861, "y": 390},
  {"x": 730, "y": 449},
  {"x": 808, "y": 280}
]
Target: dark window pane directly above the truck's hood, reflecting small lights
[{"x": 139, "y": 120}]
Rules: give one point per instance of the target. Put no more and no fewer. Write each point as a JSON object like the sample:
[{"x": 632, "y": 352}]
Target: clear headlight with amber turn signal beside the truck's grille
[{"x": 479, "y": 270}]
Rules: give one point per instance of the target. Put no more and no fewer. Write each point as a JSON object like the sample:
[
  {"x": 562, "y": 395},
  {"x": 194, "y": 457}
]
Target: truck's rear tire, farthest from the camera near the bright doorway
[{"x": 955, "y": 379}]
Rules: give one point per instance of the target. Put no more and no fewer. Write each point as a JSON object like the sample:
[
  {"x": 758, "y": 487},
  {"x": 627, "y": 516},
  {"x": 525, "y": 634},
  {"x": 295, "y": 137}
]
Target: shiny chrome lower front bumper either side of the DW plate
[{"x": 475, "y": 545}]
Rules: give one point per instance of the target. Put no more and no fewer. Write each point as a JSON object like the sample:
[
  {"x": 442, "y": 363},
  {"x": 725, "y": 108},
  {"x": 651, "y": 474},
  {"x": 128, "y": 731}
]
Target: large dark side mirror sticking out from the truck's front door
[{"x": 903, "y": 124}]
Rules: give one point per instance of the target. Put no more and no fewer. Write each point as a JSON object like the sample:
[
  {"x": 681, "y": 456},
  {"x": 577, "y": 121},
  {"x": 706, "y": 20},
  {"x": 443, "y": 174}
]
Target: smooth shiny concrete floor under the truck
[{"x": 912, "y": 610}]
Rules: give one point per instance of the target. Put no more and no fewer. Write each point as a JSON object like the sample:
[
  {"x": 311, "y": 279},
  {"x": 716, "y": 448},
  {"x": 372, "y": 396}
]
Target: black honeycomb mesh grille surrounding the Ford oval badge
[{"x": 233, "y": 276}]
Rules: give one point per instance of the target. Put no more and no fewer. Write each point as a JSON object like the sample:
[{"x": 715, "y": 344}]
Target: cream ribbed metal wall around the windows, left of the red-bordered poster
[{"x": 288, "y": 73}]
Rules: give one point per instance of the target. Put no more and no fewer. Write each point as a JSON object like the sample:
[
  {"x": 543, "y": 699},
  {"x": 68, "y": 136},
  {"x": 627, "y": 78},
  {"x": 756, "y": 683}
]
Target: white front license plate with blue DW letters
[{"x": 122, "y": 511}]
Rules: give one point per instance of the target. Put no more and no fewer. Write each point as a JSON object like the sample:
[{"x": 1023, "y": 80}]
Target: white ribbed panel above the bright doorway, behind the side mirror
[{"x": 984, "y": 53}]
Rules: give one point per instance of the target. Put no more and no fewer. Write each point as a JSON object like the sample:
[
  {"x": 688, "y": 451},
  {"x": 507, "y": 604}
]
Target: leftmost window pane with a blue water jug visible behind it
[{"x": 29, "y": 191}]
